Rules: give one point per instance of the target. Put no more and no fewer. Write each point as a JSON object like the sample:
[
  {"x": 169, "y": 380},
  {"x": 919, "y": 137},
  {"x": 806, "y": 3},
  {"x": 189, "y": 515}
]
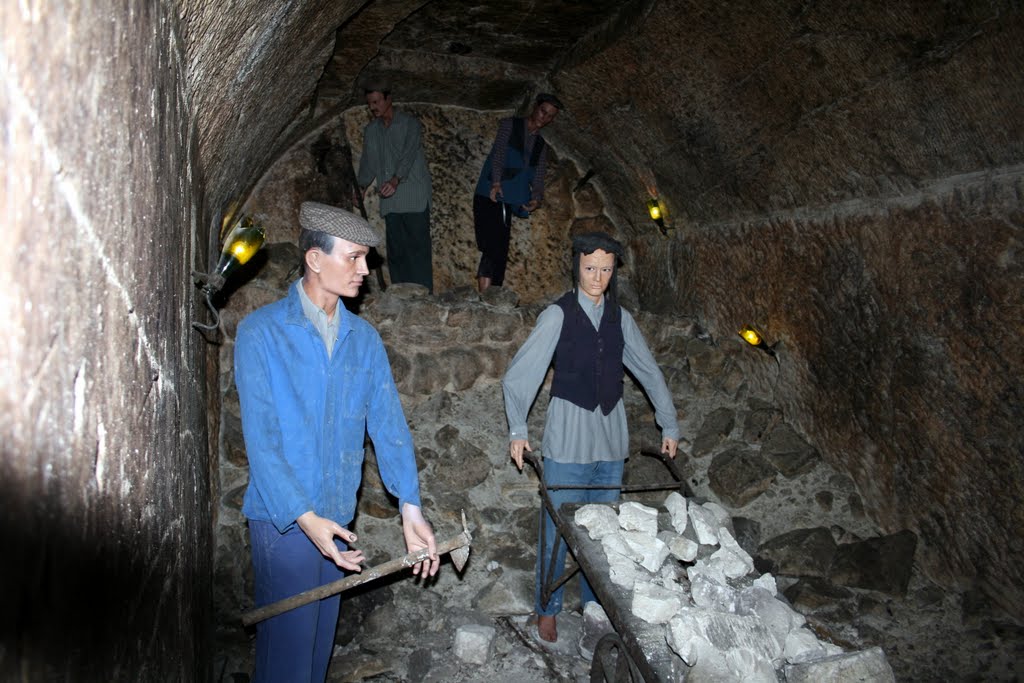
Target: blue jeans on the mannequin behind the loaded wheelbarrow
[{"x": 561, "y": 475}]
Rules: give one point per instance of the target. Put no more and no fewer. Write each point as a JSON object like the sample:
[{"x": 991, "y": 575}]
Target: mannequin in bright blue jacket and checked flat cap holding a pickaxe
[{"x": 314, "y": 380}]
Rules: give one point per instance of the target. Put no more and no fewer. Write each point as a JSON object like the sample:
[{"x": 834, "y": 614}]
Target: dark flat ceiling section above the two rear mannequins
[{"x": 480, "y": 56}]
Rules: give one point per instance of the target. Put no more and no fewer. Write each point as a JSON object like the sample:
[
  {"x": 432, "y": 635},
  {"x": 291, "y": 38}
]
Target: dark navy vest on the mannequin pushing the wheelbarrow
[{"x": 588, "y": 362}]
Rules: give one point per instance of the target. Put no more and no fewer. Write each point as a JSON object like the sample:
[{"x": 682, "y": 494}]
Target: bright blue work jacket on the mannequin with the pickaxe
[{"x": 306, "y": 416}]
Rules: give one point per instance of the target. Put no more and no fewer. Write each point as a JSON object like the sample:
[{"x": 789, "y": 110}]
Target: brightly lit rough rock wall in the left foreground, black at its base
[{"x": 105, "y": 474}]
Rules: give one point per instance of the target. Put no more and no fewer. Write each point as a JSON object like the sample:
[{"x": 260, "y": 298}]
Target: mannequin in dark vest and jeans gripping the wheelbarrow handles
[{"x": 586, "y": 442}]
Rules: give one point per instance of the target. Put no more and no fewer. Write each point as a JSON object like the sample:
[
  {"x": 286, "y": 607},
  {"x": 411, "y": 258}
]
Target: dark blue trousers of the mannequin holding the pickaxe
[{"x": 296, "y": 646}]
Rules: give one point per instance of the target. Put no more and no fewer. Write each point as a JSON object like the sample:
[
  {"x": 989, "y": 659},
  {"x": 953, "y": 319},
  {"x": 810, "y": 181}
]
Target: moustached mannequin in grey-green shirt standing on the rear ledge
[{"x": 393, "y": 154}]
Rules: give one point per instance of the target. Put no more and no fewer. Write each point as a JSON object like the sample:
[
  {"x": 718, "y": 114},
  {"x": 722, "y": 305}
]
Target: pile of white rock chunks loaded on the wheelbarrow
[{"x": 723, "y": 619}]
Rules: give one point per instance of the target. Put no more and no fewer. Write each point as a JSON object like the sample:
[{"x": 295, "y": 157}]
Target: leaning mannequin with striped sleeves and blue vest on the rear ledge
[{"x": 511, "y": 183}]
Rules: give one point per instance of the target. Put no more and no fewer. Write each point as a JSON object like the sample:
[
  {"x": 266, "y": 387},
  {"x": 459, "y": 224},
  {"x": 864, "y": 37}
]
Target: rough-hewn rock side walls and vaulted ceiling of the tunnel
[{"x": 848, "y": 179}]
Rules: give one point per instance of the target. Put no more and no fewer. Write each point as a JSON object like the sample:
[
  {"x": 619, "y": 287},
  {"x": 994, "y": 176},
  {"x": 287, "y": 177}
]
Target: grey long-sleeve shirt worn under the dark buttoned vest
[{"x": 573, "y": 435}]
